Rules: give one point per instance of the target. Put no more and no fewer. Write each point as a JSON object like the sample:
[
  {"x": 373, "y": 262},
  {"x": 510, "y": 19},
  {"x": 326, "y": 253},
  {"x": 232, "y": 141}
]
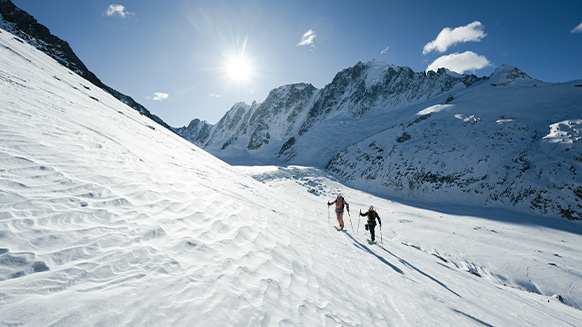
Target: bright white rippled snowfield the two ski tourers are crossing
[{"x": 106, "y": 218}]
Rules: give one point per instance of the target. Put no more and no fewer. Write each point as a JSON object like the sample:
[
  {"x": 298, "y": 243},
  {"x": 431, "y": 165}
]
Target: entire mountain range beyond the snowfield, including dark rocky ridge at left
[{"x": 505, "y": 140}]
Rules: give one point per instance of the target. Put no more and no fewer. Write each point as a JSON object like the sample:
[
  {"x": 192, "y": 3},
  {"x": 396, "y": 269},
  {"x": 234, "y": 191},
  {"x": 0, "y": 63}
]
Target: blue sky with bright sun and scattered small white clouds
[{"x": 186, "y": 59}]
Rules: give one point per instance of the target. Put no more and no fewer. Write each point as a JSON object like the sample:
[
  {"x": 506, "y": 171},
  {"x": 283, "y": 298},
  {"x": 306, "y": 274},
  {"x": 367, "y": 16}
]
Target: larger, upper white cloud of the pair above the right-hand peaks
[{"x": 449, "y": 37}]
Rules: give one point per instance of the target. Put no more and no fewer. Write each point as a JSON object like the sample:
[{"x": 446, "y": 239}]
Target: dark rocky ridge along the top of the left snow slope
[{"x": 20, "y": 23}]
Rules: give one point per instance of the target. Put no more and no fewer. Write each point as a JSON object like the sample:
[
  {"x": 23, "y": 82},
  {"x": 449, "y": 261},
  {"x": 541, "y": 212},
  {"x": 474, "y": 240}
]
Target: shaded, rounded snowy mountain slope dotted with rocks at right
[{"x": 511, "y": 142}]
